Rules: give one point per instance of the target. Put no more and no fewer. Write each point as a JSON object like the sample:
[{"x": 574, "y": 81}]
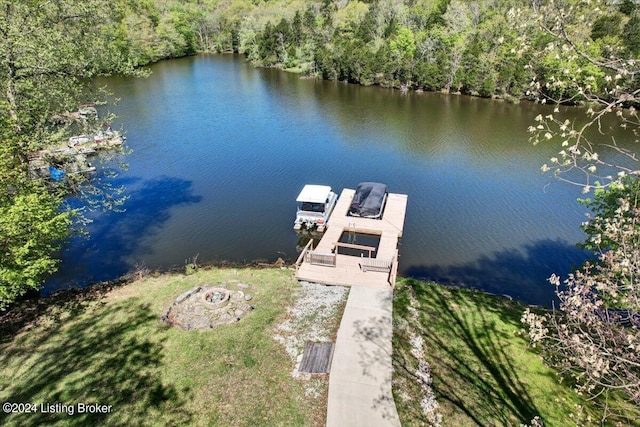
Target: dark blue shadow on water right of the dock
[{"x": 519, "y": 274}]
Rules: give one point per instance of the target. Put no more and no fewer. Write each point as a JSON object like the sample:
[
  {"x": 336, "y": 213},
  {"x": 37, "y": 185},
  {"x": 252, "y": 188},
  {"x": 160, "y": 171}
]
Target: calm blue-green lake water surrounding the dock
[{"x": 221, "y": 150}]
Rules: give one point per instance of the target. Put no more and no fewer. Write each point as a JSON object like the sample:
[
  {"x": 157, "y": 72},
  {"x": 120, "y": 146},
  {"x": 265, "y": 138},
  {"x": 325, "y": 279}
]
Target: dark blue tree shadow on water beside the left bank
[{"x": 115, "y": 236}]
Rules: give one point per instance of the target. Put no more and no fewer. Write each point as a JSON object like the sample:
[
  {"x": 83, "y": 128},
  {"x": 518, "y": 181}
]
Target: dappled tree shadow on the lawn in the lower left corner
[{"x": 80, "y": 351}]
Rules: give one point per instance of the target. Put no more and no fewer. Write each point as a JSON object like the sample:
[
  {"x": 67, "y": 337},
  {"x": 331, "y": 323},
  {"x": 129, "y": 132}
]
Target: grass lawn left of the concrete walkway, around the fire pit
[{"x": 108, "y": 346}]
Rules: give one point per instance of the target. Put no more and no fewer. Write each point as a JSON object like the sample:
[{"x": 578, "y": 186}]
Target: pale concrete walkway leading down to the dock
[{"x": 360, "y": 379}]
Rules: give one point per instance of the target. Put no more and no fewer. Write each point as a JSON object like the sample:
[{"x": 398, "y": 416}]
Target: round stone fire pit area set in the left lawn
[{"x": 206, "y": 307}]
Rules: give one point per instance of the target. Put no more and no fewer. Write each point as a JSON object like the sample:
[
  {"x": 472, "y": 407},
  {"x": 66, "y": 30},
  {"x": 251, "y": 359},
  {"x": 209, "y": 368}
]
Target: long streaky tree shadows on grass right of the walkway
[{"x": 471, "y": 367}]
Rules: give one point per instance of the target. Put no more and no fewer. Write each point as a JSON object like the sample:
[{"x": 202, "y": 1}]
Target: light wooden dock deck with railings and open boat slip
[{"x": 320, "y": 262}]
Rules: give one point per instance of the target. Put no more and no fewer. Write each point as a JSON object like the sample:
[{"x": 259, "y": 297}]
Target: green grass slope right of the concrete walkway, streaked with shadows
[{"x": 483, "y": 371}]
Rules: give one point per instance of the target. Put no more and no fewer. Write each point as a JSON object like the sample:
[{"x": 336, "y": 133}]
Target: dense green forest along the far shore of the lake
[{"x": 486, "y": 48}]
